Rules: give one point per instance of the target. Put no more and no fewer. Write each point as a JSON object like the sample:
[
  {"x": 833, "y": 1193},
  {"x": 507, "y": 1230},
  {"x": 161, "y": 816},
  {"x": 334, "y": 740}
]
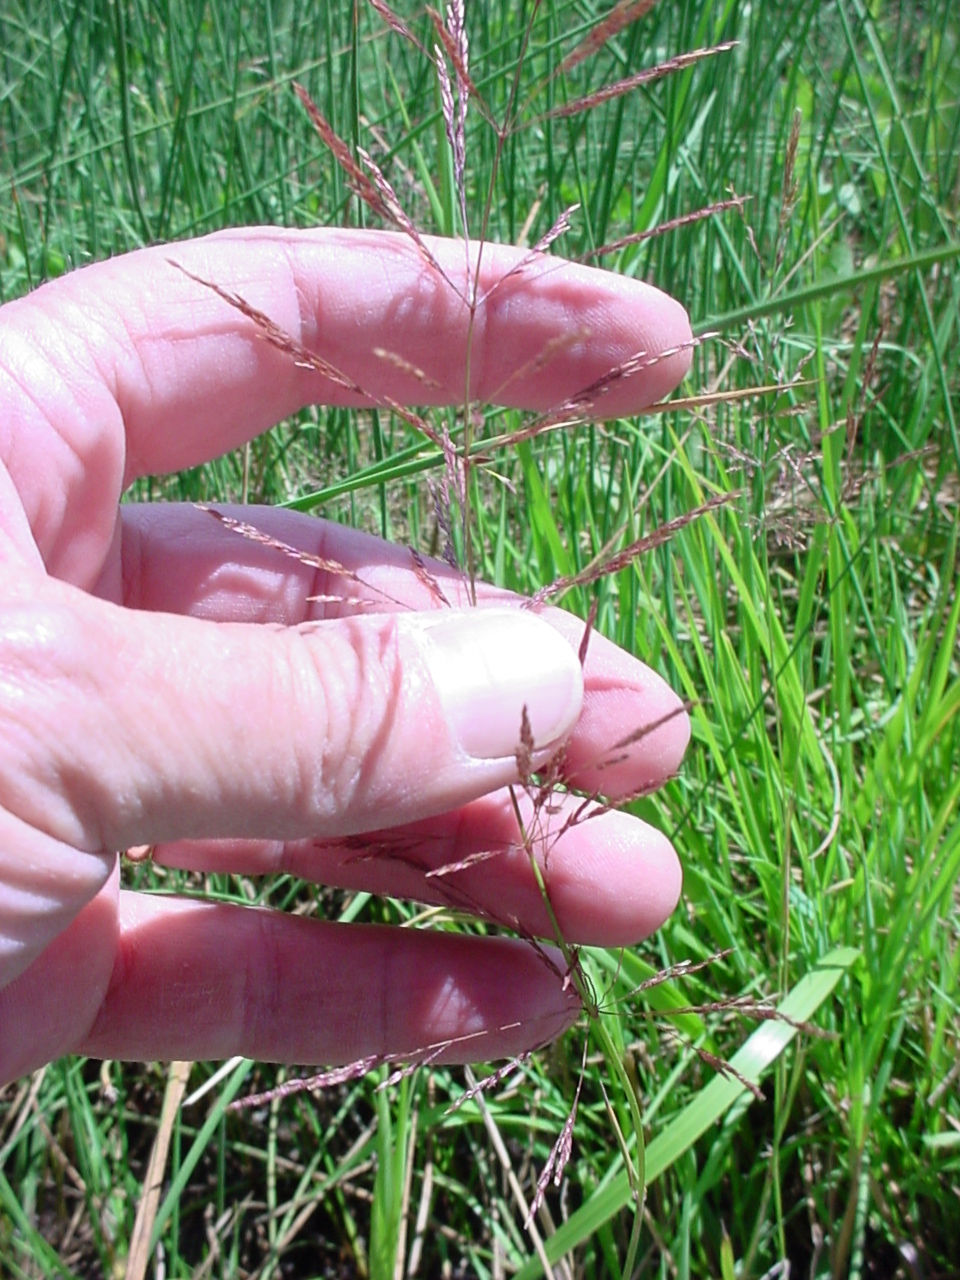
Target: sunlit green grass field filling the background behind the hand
[{"x": 812, "y": 621}]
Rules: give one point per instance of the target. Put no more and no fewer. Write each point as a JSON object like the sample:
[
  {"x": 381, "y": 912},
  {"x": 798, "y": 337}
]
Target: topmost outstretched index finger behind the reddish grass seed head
[{"x": 193, "y": 378}]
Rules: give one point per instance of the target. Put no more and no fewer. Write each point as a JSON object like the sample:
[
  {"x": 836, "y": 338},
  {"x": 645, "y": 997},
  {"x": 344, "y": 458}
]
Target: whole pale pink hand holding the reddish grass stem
[{"x": 164, "y": 682}]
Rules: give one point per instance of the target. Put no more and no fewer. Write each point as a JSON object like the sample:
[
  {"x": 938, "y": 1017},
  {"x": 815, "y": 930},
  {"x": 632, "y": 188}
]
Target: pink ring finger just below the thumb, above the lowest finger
[{"x": 611, "y": 879}]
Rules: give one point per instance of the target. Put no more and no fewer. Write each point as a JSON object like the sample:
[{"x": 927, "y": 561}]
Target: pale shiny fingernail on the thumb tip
[{"x": 488, "y": 665}]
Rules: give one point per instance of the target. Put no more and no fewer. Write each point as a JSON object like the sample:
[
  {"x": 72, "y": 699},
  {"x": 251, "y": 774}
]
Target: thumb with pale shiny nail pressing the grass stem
[{"x": 120, "y": 728}]
